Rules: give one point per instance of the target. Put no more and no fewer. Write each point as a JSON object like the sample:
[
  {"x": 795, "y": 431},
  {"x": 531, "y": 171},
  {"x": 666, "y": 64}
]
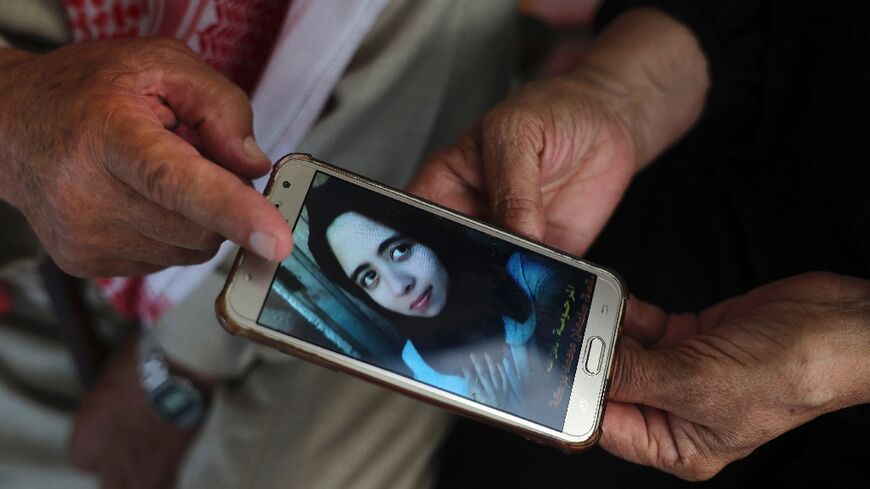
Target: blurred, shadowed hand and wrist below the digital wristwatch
[{"x": 117, "y": 437}]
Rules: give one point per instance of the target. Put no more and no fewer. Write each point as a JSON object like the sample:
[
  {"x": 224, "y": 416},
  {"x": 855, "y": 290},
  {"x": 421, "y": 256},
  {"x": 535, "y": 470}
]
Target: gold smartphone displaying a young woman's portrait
[{"x": 411, "y": 295}]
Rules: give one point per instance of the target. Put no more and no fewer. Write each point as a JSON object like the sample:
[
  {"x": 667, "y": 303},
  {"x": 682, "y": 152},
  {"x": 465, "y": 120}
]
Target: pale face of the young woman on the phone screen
[{"x": 401, "y": 275}]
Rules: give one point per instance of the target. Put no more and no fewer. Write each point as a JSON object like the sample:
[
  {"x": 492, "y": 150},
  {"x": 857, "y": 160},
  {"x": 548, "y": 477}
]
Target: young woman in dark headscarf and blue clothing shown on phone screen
[{"x": 469, "y": 308}]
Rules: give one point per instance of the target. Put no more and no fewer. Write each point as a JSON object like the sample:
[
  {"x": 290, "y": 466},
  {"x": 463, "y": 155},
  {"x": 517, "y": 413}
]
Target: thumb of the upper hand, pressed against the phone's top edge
[{"x": 512, "y": 174}]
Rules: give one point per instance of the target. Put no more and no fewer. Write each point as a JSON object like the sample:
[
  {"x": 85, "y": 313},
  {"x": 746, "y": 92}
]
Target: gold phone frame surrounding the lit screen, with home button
[{"x": 251, "y": 277}]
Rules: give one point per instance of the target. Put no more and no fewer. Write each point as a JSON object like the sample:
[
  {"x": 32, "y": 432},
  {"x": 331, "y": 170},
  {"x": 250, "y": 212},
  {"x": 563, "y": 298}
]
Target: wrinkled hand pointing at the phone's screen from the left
[{"x": 89, "y": 156}]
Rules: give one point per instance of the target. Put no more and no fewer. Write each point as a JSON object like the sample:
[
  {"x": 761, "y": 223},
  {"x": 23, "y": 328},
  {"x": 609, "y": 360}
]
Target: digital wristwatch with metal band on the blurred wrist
[{"x": 173, "y": 397}]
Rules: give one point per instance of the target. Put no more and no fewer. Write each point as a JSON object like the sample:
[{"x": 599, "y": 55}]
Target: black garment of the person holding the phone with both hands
[{"x": 771, "y": 183}]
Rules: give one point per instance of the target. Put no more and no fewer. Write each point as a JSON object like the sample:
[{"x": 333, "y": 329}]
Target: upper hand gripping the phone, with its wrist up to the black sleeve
[{"x": 553, "y": 160}]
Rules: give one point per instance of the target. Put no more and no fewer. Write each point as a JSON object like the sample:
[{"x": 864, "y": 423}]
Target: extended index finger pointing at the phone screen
[{"x": 165, "y": 169}]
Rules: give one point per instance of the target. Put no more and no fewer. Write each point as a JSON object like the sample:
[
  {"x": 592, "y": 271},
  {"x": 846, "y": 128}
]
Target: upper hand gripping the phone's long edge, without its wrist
[{"x": 551, "y": 161}]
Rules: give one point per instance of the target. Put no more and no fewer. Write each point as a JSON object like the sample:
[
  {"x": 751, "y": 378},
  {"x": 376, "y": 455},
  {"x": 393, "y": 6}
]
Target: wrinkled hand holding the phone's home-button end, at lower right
[{"x": 692, "y": 393}]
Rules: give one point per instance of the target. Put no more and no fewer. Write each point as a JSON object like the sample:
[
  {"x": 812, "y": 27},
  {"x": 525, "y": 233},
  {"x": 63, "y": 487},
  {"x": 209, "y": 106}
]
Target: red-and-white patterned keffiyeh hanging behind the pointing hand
[{"x": 272, "y": 49}]
